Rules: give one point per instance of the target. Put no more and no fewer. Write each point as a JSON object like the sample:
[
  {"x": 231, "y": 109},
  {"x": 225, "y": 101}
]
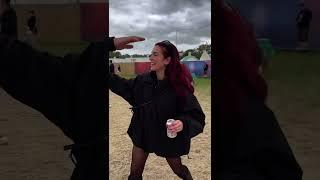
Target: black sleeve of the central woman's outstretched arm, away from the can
[{"x": 122, "y": 87}]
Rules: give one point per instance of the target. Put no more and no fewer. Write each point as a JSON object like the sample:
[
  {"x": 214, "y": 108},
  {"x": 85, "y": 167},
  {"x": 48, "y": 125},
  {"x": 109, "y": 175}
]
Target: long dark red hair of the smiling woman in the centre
[{"x": 178, "y": 75}]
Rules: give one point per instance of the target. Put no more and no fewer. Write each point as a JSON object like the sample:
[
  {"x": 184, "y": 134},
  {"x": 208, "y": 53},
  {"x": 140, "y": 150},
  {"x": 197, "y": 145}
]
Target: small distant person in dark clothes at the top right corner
[{"x": 303, "y": 24}]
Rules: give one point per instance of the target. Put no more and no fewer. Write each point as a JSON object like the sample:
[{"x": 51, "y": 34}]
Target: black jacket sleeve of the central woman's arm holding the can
[{"x": 192, "y": 117}]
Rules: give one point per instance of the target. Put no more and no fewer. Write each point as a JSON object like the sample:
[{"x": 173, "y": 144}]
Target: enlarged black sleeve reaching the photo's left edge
[{"x": 39, "y": 80}]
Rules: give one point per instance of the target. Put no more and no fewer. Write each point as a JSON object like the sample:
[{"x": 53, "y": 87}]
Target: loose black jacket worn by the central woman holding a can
[{"x": 154, "y": 101}]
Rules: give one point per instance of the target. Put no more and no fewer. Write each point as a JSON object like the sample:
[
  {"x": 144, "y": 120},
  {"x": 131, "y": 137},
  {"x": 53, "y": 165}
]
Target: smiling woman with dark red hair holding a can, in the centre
[{"x": 164, "y": 93}]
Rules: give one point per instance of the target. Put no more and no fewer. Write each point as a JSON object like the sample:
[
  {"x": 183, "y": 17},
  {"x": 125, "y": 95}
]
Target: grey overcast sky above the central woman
[{"x": 158, "y": 20}]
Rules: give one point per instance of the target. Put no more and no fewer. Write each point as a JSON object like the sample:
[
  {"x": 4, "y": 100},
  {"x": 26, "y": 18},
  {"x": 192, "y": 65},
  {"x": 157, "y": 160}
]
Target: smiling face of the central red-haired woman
[{"x": 158, "y": 61}]
